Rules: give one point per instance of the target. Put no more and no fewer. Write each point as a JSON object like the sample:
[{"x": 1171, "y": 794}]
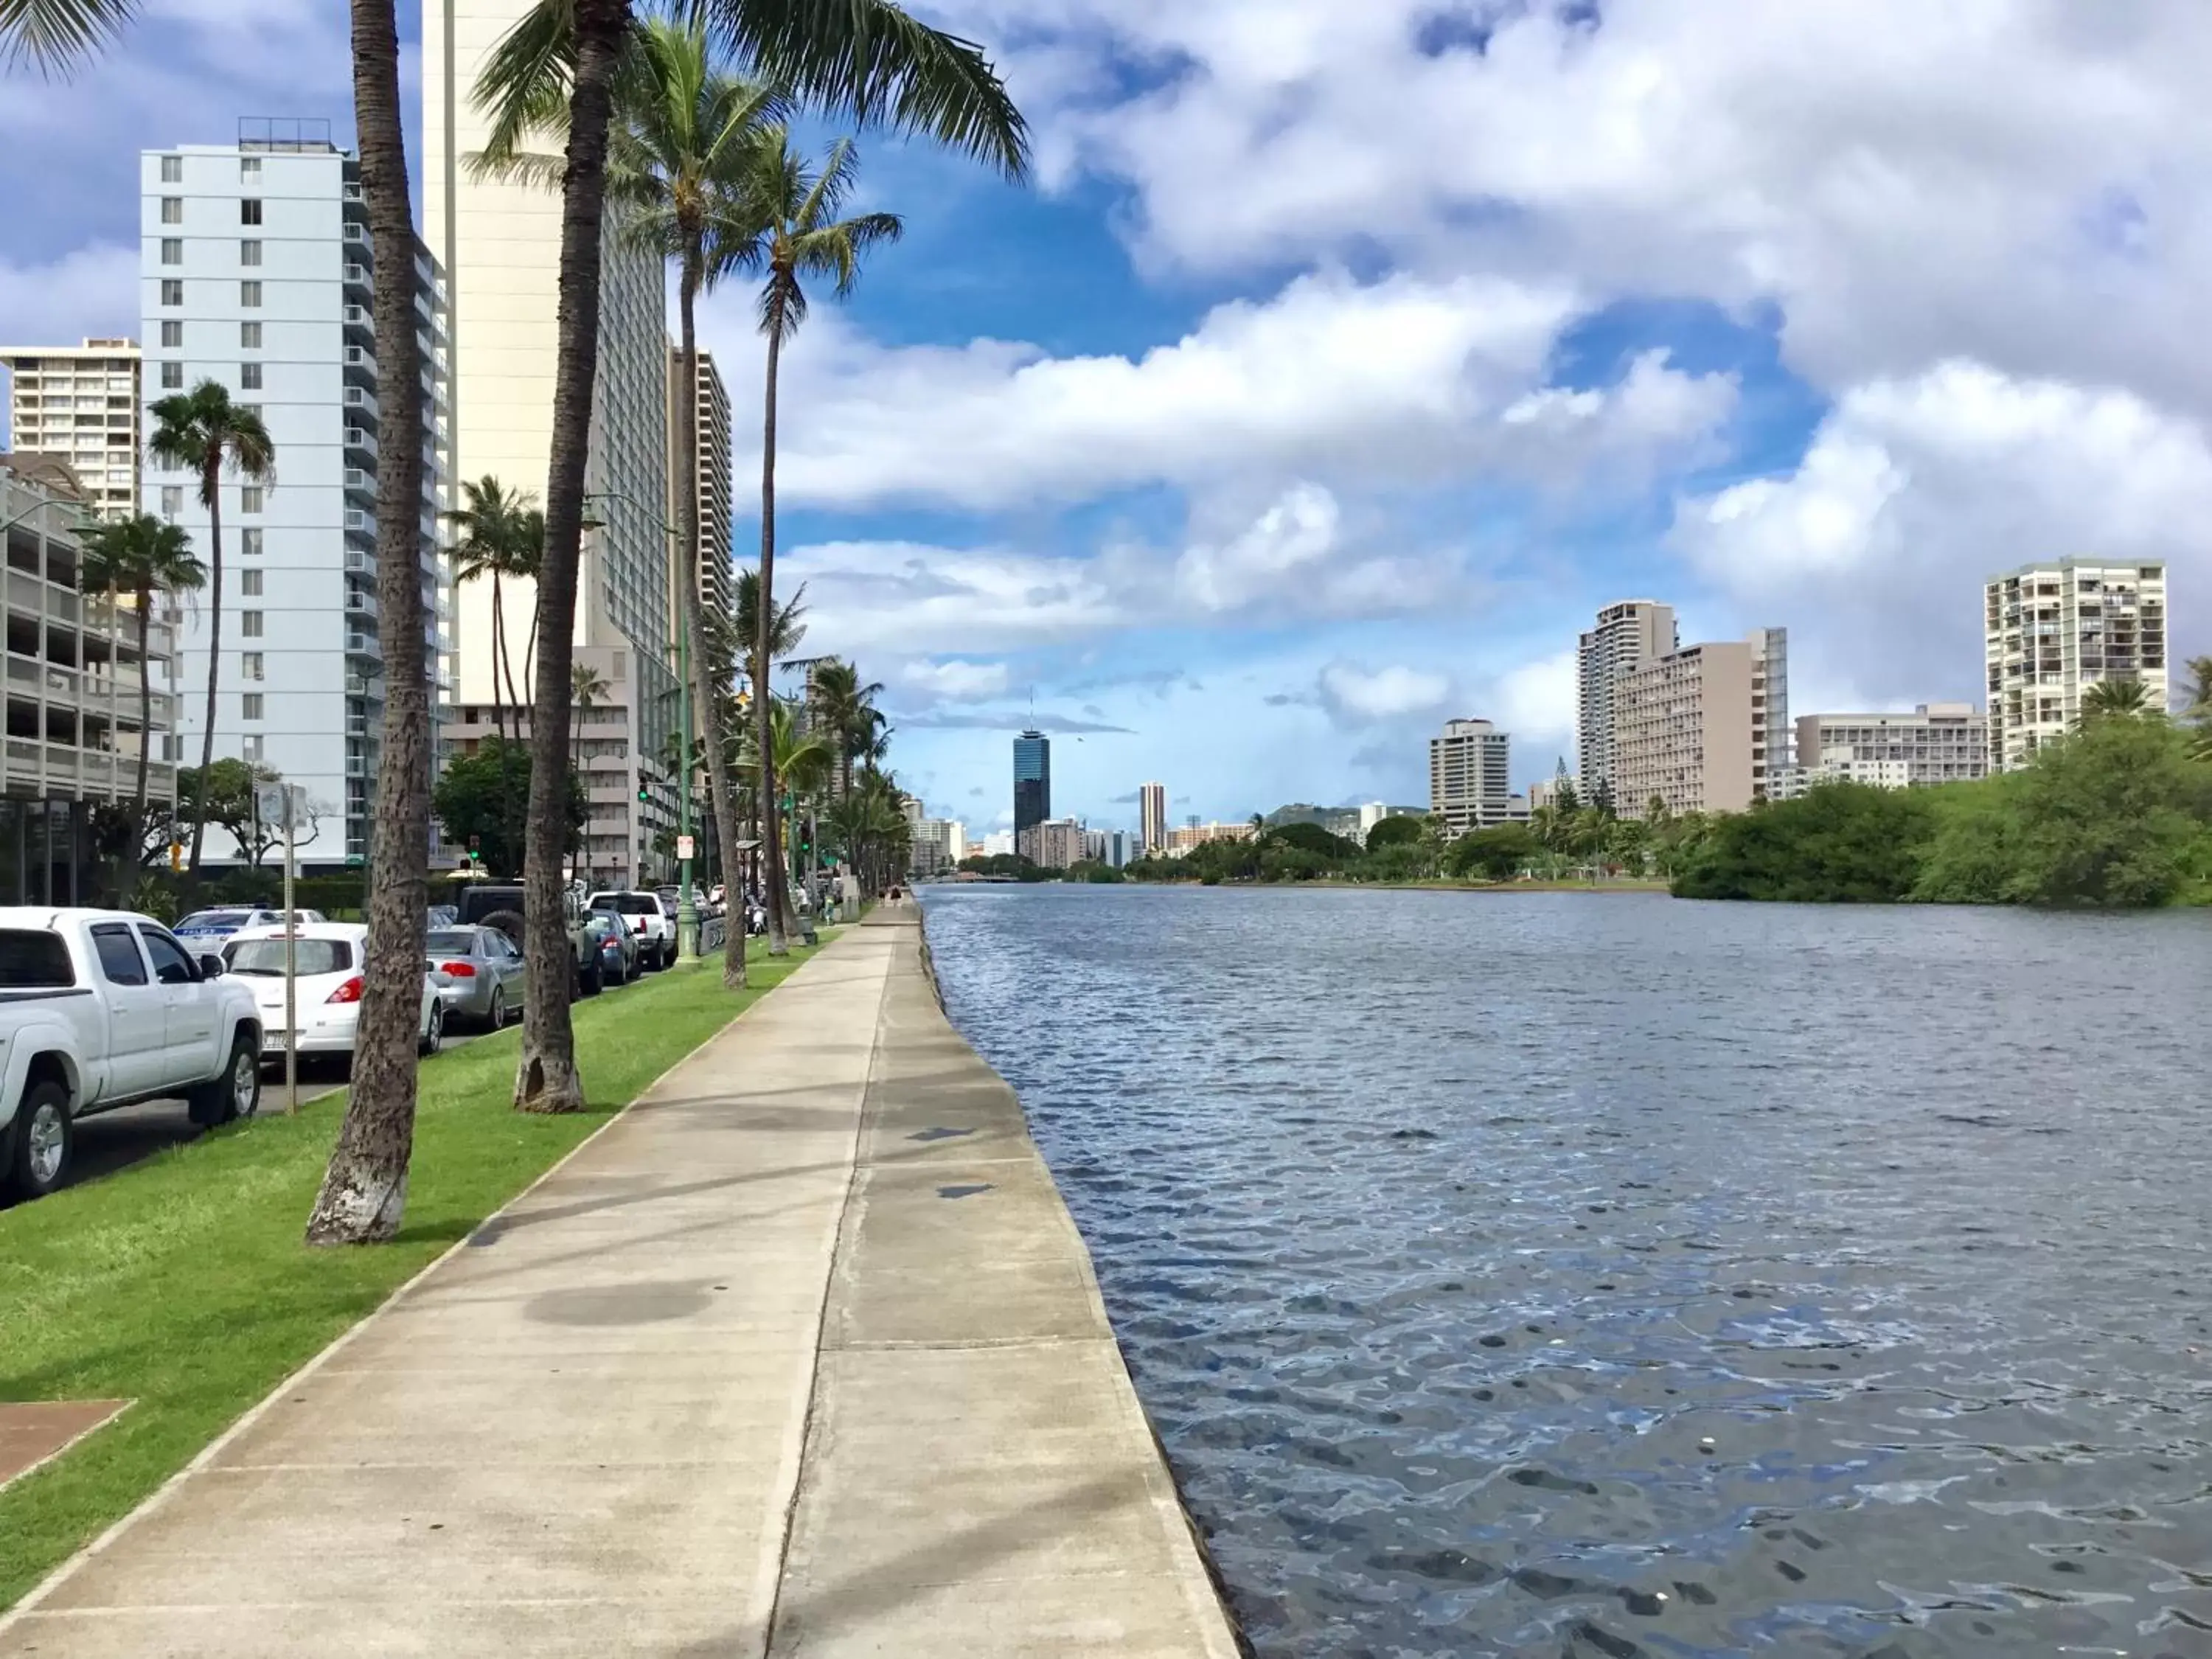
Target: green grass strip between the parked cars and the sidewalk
[{"x": 182, "y": 1284}]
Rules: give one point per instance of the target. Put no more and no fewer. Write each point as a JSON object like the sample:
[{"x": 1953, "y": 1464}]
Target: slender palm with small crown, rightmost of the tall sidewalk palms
[{"x": 804, "y": 240}]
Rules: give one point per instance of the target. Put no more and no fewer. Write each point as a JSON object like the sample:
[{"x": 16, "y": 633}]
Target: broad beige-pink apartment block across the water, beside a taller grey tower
[{"x": 1704, "y": 729}]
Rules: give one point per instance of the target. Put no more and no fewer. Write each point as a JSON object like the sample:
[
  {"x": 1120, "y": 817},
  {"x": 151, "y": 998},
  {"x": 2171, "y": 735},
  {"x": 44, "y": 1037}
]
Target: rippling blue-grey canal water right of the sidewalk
[{"x": 1609, "y": 1275}]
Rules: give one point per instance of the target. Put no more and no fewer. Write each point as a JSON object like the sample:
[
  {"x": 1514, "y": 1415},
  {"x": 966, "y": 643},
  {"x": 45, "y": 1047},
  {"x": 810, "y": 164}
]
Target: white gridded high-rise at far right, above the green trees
[{"x": 2056, "y": 629}]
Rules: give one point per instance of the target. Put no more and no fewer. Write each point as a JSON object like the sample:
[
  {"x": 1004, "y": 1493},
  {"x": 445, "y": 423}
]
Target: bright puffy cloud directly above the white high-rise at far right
[{"x": 1919, "y": 490}]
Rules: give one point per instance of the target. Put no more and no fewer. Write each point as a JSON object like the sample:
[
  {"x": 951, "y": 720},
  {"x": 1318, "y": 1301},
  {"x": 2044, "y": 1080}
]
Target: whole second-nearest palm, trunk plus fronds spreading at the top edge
[{"x": 556, "y": 70}]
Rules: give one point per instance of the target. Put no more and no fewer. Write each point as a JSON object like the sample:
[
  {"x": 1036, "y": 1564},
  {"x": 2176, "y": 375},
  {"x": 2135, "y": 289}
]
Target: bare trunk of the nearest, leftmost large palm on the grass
[{"x": 366, "y": 1187}]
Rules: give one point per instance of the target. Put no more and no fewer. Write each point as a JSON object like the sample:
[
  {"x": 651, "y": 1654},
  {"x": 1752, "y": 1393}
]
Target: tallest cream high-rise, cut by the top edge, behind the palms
[{"x": 501, "y": 249}]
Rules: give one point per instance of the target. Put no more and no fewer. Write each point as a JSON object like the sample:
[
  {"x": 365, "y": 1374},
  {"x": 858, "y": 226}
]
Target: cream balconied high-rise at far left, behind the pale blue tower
[{"x": 81, "y": 404}]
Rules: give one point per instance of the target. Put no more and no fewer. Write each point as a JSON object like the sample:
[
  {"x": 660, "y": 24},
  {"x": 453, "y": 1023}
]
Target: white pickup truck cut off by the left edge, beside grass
[{"x": 103, "y": 1008}]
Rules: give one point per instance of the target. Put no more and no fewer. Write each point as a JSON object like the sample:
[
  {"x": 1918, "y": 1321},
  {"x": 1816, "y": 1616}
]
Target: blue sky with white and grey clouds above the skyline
[{"x": 1342, "y": 359}]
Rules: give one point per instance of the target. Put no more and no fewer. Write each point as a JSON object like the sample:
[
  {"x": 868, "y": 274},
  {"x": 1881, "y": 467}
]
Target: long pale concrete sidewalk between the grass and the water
[{"x": 800, "y": 1357}]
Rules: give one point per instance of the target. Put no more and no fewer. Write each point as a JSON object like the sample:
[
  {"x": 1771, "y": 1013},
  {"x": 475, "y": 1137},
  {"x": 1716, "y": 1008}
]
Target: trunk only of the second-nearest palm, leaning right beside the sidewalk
[{"x": 547, "y": 1078}]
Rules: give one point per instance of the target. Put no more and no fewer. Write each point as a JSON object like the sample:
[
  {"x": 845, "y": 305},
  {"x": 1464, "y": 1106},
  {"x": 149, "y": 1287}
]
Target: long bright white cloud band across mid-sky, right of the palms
[{"x": 1331, "y": 379}]
